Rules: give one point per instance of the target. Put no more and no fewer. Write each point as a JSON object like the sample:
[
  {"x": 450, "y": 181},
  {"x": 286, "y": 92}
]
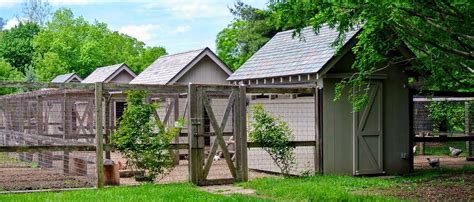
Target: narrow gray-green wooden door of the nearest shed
[{"x": 368, "y": 134}]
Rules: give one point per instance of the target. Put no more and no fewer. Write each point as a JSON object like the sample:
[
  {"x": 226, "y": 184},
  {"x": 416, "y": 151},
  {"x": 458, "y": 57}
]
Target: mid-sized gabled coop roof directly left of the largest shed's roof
[{"x": 169, "y": 68}]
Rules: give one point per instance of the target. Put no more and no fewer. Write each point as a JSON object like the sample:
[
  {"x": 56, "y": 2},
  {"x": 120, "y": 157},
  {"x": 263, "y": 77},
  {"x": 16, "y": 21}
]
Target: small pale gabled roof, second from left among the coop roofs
[{"x": 107, "y": 73}]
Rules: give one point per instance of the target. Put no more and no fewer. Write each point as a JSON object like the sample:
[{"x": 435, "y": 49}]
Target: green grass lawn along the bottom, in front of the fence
[{"x": 314, "y": 188}]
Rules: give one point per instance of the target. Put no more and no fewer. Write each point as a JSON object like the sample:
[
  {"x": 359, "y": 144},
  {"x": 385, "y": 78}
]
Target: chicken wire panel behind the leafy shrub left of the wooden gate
[{"x": 172, "y": 108}]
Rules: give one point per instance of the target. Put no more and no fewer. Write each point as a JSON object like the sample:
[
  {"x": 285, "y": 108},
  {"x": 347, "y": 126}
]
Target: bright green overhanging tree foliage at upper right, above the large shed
[{"x": 439, "y": 33}]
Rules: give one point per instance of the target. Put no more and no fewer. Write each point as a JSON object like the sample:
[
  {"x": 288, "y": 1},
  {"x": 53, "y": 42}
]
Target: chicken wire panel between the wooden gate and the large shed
[{"x": 299, "y": 114}]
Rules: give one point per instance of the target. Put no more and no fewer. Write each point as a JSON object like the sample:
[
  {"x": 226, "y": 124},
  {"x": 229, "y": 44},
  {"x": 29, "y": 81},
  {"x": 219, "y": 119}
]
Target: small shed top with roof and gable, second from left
[{"x": 118, "y": 73}]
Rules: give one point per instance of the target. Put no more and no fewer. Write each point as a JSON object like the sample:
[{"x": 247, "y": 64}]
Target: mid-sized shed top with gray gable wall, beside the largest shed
[{"x": 198, "y": 66}]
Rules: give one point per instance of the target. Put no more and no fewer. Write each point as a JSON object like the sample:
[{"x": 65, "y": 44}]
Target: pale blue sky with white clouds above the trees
[{"x": 177, "y": 25}]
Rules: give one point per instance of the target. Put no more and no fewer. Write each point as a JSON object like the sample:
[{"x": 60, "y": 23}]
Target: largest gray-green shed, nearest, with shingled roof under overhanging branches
[{"x": 372, "y": 141}]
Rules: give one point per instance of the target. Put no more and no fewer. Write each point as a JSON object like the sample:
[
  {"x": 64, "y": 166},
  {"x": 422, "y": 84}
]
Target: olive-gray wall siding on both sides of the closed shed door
[{"x": 338, "y": 123}]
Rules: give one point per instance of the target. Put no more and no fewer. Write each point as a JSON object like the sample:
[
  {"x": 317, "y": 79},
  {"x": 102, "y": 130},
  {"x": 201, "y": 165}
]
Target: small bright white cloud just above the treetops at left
[{"x": 143, "y": 32}]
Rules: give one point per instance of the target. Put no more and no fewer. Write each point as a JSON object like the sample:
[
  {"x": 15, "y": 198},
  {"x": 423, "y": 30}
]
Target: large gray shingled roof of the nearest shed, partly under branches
[{"x": 286, "y": 55}]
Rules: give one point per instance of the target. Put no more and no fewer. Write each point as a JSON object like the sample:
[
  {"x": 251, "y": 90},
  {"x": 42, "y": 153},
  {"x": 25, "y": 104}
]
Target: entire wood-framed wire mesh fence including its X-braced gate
[{"x": 49, "y": 136}]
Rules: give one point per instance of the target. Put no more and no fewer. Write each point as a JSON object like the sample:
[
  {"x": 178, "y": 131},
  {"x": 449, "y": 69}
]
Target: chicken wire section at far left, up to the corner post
[{"x": 47, "y": 118}]
